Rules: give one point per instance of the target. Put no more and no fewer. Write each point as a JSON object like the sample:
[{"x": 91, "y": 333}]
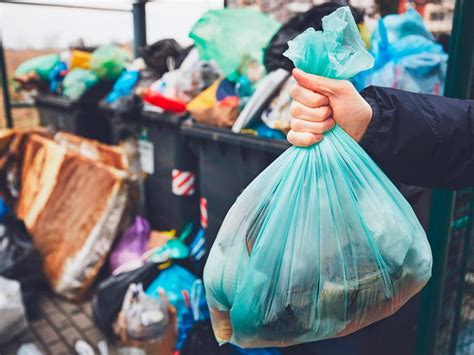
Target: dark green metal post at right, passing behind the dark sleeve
[{"x": 457, "y": 85}]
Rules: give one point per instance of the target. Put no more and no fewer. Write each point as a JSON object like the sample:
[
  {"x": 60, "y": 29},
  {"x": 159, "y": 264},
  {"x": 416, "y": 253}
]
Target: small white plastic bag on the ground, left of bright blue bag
[{"x": 146, "y": 318}]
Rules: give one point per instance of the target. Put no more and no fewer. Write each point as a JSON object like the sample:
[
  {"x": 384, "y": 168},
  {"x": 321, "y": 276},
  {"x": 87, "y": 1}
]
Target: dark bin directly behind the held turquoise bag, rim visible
[{"x": 228, "y": 162}]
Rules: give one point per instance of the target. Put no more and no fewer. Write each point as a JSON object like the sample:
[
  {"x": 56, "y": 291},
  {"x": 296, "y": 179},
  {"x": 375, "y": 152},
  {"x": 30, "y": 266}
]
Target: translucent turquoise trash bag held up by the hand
[{"x": 321, "y": 243}]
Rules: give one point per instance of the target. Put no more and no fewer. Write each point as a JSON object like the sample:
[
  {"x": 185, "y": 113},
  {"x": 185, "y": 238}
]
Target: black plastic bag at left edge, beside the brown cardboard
[{"x": 21, "y": 261}]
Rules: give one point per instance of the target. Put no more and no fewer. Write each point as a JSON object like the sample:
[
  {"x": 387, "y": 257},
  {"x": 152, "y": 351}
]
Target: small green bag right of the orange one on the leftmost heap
[{"x": 108, "y": 62}]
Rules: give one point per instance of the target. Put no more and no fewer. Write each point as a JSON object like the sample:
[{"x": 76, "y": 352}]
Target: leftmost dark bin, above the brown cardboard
[{"x": 82, "y": 117}]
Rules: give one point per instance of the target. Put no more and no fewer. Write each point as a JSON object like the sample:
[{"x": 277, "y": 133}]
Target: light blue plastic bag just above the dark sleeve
[{"x": 406, "y": 56}]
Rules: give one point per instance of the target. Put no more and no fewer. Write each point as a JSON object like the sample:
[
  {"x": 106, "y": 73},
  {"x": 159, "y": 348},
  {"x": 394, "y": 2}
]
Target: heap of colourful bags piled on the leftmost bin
[{"x": 72, "y": 73}]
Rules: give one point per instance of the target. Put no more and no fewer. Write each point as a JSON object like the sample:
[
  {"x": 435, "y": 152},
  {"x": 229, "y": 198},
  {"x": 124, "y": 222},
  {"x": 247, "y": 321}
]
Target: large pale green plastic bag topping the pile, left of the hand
[{"x": 232, "y": 37}]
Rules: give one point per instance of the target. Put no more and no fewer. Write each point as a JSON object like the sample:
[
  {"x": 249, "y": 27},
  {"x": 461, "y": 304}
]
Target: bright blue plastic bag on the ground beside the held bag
[{"x": 186, "y": 293}]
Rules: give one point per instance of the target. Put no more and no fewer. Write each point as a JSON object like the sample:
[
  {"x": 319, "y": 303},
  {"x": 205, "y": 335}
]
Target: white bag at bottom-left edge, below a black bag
[{"x": 13, "y": 318}]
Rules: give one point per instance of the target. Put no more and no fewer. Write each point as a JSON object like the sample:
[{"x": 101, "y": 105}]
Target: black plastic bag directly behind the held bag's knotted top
[{"x": 273, "y": 57}]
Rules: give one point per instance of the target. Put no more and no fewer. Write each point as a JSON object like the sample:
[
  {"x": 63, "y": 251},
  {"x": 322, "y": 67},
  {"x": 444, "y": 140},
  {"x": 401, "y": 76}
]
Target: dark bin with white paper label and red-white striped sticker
[{"x": 171, "y": 195}]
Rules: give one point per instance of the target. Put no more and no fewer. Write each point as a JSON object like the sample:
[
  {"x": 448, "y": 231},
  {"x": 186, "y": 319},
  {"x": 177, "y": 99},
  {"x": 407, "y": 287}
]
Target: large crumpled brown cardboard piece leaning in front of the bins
[{"x": 72, "y": 218}]
